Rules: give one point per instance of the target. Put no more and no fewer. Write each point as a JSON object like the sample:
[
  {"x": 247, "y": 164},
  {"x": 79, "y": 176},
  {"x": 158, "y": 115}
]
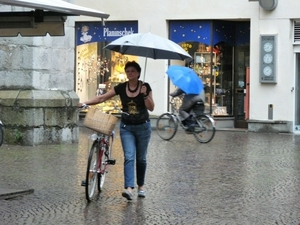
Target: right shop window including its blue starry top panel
[{"x": 212, "y": 44}]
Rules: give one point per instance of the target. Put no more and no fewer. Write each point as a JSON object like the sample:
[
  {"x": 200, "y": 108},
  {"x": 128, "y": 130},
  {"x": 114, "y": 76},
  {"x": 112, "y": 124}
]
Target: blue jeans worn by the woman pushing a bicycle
[{"x": 135, "y": 140}]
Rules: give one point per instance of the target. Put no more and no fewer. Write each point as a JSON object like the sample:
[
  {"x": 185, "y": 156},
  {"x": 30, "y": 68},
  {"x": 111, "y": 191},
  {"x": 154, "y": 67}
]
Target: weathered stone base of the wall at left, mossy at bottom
[{"x": 35, "y": 117}]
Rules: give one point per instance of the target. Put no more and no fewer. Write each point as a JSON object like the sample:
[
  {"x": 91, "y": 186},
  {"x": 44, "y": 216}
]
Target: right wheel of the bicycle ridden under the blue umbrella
[{"x": 205, "y": 130}]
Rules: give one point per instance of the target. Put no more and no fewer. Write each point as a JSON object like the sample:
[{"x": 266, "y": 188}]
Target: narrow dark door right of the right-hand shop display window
[{"x": 240, "y": 84}]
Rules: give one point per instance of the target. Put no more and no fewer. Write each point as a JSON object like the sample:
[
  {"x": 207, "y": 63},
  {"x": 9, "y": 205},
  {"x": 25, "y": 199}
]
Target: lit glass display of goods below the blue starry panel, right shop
[{"x": 213, "y": 66}]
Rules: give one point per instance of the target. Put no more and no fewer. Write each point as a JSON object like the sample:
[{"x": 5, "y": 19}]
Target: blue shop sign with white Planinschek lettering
[{"x": 87, "y": 32}]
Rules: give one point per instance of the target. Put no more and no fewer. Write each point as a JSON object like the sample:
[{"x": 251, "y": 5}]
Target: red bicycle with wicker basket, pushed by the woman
[{"x": 100, "y": 153}]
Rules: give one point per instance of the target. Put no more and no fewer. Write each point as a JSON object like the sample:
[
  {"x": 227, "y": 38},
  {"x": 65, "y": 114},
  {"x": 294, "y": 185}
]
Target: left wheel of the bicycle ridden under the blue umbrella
[{"x": 166, "y": 126}]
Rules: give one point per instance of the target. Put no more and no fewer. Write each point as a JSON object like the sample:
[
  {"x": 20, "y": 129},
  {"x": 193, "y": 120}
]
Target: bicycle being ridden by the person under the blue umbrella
[{"x": 204, "y": 126}]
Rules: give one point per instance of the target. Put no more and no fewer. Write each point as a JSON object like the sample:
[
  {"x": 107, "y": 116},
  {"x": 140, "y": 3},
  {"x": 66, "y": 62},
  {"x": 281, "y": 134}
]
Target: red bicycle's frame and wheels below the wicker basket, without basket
[{"x": 98, "y": 161}]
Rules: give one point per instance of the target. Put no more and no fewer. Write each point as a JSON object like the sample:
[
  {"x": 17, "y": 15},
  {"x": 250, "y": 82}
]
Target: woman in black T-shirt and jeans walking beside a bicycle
[{"x": 135, "y": 127}]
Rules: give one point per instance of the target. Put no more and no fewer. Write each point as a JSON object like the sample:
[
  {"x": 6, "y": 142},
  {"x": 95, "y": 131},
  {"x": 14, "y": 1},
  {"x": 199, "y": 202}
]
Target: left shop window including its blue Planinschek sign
[{"x": 99, "y": 70}]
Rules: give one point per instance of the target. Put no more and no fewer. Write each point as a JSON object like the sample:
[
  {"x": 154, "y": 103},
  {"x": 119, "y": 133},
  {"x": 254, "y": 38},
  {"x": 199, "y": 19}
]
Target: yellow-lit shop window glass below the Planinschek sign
[{"x": 97, "y": 74}]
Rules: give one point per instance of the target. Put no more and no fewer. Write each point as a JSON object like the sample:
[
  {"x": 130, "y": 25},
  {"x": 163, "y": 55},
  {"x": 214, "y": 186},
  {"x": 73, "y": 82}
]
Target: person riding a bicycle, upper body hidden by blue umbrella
[{"x": 188, "y": 102}]
